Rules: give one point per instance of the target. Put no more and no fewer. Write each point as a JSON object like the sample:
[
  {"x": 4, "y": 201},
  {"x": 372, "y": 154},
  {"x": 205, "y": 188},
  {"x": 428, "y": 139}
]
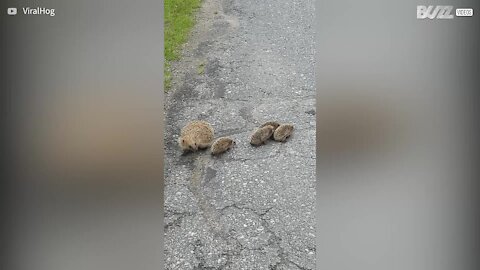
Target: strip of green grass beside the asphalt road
[{"x": 179, "y": 20}]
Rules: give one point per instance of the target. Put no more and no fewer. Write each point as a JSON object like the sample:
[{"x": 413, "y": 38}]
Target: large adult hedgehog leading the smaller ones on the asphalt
[{"x": 196, "y": 135}]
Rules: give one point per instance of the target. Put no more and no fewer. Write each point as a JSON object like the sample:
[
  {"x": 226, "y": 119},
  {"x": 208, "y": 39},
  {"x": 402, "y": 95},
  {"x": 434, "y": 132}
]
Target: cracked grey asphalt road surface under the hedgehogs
[{"x": 253, "y": 207}]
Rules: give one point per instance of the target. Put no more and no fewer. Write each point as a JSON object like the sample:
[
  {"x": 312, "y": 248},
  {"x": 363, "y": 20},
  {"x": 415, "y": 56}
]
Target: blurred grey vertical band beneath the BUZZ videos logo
[{"x": 396, "y": 98}]
